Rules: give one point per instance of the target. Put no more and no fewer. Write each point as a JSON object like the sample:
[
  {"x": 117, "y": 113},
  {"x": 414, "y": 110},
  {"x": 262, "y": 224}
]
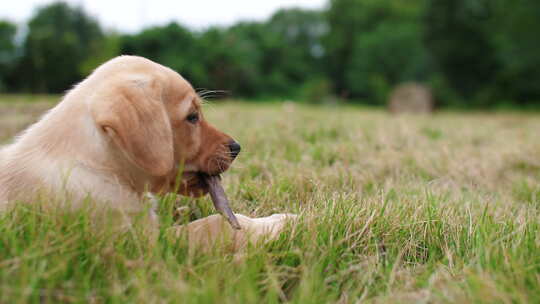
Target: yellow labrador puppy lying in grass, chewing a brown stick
[{"x": 119, "y": 134}]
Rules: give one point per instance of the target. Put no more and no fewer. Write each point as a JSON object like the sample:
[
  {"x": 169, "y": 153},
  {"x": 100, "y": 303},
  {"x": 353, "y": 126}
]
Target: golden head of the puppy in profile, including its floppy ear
[{"x": 154, "y": 117}]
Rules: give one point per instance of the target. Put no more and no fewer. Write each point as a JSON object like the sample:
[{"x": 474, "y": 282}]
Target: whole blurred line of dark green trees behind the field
[{"x": 472, "y": 53}]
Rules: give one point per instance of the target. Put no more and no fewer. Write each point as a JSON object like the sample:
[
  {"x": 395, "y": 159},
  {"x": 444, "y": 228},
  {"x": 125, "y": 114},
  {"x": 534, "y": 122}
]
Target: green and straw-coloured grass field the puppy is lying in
[{"x": 441, "y": 208}]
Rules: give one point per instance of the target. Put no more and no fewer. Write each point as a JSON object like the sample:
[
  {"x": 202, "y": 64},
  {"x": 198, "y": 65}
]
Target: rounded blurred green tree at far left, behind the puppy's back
[{"x": 59, "y": 39}]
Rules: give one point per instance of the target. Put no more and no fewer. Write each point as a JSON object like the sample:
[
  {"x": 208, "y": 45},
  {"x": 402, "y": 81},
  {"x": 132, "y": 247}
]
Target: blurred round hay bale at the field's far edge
[{"x": 411, "y": 98}]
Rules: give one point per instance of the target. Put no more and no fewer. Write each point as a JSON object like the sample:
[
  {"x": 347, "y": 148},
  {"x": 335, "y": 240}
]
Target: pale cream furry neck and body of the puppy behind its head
[{"x": 65, "y": 151}]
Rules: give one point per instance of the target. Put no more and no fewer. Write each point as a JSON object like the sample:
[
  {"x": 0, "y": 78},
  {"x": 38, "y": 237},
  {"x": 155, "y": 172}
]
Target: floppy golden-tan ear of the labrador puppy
[{"x": 134, "y": 116}]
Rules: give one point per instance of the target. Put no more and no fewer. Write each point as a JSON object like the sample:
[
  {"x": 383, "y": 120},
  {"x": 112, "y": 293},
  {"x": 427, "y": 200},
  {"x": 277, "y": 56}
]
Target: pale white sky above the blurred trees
[{"x": 132, "y": 15}]
